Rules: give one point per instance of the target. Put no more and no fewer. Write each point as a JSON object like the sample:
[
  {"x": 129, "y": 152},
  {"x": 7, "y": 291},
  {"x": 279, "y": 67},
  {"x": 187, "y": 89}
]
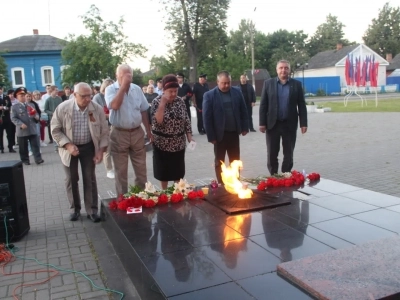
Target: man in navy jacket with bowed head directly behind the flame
[{"x": 225, "y": 118}]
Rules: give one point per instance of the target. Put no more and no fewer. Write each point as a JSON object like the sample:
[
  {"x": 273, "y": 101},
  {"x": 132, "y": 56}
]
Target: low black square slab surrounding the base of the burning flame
[{"x": 231, "y": 204}]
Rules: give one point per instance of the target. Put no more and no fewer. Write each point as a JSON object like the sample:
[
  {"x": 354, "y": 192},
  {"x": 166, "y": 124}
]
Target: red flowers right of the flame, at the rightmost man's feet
[{"x": 288, "y": 179}]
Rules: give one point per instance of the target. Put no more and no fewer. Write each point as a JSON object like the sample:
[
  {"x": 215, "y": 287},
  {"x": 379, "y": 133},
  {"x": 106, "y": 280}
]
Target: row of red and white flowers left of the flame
[{"x": 150, "y": 197}]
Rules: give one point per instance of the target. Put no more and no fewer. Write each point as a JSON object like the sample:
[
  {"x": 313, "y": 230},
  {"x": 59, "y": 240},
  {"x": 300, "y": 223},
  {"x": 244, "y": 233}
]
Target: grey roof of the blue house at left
[{"x": 27, "y": 43}]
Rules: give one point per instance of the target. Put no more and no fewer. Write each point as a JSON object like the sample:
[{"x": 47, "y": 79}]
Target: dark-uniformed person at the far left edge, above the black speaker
[{"x": 5, "y": 122}]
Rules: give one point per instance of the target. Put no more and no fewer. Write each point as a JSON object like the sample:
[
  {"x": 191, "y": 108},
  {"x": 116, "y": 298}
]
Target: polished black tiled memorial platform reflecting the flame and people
[{"x": 194, "y": 250}]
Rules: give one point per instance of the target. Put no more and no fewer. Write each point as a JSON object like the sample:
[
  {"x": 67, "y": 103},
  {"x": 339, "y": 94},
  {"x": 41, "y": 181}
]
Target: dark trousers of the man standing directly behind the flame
[{"x": 229, "y": 144}]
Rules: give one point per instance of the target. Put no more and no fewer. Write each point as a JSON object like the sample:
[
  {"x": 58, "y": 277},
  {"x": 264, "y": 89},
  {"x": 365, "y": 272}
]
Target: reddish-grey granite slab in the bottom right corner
[{"x": 368, "y": 271}]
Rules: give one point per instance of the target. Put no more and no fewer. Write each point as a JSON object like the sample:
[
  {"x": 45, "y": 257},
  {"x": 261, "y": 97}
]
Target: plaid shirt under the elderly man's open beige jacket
[{"x": 80, "y": 128}]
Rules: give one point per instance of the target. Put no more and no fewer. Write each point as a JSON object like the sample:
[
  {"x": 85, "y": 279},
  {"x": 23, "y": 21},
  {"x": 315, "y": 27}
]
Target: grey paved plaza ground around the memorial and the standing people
[{"x": 361, "y": 149}]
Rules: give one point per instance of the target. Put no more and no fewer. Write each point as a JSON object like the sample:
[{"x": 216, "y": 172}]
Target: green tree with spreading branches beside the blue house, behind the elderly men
[{"x": 95, "y": 56}]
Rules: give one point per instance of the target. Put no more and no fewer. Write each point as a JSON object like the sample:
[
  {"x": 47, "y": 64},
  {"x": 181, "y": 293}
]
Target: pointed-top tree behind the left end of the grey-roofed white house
[{"x": 327, "y": 36}]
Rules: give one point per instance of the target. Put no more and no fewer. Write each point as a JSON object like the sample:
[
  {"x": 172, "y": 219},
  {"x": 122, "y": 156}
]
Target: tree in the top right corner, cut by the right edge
[{"x": 383, "y": 35}]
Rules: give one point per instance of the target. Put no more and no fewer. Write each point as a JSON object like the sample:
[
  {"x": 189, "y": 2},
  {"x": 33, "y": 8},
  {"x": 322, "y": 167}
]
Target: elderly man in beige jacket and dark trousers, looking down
[{"x": 80, "y": 128}]
